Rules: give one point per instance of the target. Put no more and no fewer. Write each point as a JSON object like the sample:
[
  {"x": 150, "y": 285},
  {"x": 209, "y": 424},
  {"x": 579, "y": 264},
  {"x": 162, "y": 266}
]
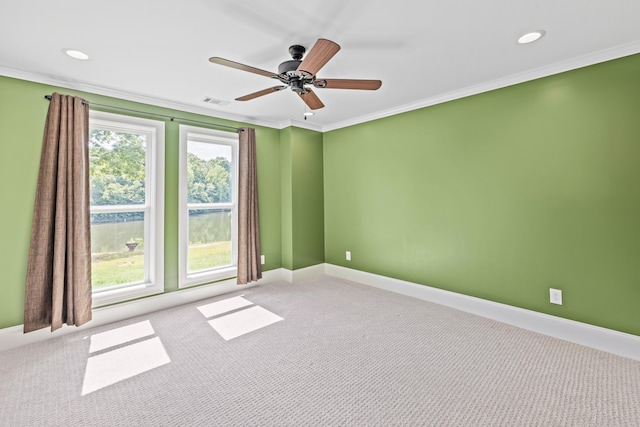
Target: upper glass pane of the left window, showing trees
[{"x": 117, "y": 167}]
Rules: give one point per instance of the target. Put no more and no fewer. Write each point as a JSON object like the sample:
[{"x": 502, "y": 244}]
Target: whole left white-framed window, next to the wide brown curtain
[{"x": 126, "y": 158}]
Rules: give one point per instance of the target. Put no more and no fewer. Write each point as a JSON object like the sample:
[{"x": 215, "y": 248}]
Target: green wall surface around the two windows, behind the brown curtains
[{"x": 22, "y": 114}]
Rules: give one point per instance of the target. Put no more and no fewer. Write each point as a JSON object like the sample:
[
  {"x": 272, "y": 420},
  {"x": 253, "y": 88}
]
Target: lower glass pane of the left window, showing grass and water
[{"x": 117, "y": 249}]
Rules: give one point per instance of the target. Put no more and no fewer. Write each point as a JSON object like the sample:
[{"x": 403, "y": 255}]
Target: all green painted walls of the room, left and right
[{"x": 500, "y": 195}]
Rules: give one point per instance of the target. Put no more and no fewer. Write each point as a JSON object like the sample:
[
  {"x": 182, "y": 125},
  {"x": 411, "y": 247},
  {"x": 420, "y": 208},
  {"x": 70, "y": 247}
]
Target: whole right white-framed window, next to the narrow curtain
[{"x": 208, "y": 205}]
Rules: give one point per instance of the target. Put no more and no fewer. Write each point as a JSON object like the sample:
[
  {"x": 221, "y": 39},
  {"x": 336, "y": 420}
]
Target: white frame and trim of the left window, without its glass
[{"x": 153, "y": 207}]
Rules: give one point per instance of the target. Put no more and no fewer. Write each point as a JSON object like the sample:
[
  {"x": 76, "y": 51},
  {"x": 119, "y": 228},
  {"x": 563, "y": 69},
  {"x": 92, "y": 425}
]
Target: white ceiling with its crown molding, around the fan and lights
[{"x": 156, "y": 51}]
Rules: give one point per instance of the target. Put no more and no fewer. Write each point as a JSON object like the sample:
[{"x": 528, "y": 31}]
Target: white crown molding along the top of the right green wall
[{"x": 537, "y": 73}]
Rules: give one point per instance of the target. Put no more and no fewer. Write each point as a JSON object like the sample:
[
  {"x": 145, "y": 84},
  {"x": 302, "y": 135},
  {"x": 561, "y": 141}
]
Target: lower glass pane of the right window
[{"x": 209, "y": 239}]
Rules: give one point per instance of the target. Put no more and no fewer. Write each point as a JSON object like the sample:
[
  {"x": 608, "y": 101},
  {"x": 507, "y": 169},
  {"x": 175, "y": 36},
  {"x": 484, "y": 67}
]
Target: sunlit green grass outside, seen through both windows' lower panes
[{"x": 116, "y": 268}]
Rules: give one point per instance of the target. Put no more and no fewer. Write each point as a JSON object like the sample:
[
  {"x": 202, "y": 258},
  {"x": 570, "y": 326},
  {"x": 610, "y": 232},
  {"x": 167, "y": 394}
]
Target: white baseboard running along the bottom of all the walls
[{"x": 608, "y": 340}]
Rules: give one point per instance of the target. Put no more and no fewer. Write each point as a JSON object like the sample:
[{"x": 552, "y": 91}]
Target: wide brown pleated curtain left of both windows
[{"x": 58, "y": 288}]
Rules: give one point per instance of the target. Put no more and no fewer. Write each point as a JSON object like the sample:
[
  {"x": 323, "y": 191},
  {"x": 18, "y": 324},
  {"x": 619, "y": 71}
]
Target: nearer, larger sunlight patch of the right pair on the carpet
[{"x": 242, "y": 322}]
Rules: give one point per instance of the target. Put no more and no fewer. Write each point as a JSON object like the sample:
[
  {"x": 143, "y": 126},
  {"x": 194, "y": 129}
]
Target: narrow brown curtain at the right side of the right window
[{"x": 249, "y": 267}]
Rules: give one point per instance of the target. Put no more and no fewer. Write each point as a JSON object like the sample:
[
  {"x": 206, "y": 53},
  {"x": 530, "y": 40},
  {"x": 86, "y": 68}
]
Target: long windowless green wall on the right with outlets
[{"x": 501, "y": 195}]
